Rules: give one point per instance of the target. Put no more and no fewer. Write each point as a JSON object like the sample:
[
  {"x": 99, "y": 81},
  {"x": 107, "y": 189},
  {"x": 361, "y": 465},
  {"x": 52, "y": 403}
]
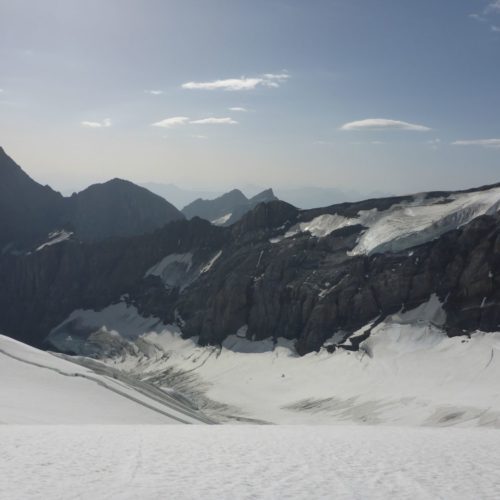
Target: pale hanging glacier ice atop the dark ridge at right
[{"x": 407, "y": 224}]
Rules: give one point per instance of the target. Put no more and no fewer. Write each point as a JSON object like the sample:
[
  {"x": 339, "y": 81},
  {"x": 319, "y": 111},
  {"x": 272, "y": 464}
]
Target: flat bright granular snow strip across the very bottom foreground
[{"x": 265, "y": 462}]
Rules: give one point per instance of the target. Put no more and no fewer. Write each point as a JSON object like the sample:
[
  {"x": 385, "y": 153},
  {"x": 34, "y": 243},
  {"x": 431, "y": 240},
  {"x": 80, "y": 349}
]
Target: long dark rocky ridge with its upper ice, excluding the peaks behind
[{"x": 278, "y": 272}]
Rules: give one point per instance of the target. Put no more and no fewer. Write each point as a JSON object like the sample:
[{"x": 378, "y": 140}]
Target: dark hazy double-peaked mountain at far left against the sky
[{"x": 30, "y": 211}]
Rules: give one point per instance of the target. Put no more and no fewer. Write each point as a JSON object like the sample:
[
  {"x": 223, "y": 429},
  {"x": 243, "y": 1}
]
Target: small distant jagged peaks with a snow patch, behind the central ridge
[{"x": 228, "y": 208}]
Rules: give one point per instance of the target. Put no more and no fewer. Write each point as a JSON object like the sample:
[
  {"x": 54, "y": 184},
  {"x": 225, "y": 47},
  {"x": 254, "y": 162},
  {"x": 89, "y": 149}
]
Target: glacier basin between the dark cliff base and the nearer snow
[{"x": 408, "y": 372}]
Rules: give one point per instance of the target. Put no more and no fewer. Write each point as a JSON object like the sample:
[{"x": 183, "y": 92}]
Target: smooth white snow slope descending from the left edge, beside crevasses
[{"x": 39, "y": 388}]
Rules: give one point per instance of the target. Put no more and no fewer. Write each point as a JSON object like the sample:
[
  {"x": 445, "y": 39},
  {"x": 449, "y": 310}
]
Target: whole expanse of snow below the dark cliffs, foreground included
[{"x": 415, "y": 413}]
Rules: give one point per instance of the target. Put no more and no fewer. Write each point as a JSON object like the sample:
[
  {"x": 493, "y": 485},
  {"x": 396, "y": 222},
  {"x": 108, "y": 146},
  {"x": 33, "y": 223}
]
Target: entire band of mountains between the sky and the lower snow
[{"x": 321, "y": 278}]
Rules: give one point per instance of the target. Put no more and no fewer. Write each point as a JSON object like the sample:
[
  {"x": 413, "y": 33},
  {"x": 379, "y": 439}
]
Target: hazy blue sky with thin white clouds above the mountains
[{"x": 392, "y": 95}]
